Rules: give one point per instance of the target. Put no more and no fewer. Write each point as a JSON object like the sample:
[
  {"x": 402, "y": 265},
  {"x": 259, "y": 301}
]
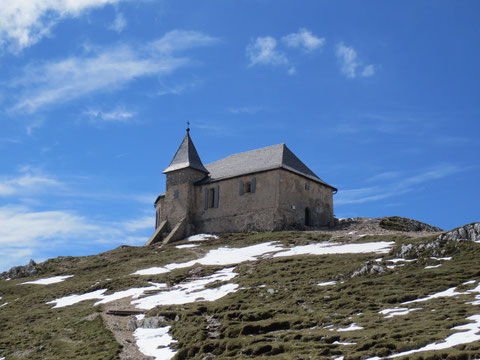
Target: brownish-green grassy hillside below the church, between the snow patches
[{"x": 278, "y": 311}]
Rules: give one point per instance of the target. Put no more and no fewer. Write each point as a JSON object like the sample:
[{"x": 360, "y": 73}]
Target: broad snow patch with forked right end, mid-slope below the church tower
[{"x": 190, "y": 292}]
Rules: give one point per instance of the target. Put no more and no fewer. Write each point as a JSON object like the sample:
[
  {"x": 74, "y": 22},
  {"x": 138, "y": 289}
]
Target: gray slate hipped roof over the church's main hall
[{"x": 268, "y": 158}]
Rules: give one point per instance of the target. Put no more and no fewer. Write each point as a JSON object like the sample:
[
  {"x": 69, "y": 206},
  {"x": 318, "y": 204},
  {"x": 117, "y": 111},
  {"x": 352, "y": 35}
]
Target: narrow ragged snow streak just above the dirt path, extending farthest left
[{"x": 99, "y": 295}]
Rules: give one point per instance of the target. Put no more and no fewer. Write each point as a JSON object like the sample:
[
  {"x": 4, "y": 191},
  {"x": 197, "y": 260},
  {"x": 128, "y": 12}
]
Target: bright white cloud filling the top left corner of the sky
[{"x": 24, "y": 22}]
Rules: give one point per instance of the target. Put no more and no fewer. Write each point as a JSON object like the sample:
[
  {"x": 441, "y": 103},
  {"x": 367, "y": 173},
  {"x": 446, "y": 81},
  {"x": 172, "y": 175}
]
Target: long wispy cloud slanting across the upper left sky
[{"x": 105, "y": 70}]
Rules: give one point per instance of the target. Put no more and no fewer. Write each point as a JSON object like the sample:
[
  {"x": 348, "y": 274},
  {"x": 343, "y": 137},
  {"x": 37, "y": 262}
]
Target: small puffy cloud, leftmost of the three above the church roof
[{"x": 262, "y": 51}]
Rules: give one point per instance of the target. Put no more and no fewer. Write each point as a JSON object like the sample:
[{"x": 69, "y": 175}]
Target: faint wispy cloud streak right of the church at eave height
[{"x": 400, "y": 186}]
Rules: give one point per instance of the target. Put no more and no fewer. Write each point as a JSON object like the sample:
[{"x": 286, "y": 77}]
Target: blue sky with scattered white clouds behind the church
[{"x": 378, "y": 98}]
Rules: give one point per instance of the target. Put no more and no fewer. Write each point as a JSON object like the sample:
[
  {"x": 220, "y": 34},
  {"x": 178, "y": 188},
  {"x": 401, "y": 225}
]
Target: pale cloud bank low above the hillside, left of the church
[{"x": 26, "y": 233}]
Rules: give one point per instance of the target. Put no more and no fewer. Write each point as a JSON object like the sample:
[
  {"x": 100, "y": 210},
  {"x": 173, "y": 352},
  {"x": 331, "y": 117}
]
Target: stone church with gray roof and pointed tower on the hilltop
[{"x": 264, "y": 189}]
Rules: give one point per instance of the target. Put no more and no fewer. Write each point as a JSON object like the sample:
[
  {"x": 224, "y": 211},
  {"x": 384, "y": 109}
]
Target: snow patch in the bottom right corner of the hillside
[{"x": 465, "y": 337}]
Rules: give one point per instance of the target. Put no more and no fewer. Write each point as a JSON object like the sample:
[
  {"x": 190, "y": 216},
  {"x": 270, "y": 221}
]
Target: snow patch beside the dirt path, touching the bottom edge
[{"x": 154, "y": 342}]
